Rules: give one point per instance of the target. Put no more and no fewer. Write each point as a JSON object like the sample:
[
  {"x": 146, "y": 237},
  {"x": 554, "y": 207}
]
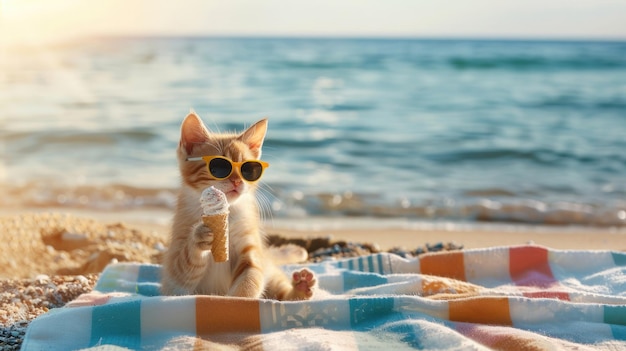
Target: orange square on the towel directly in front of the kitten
[{"x": 222, "y": 314}]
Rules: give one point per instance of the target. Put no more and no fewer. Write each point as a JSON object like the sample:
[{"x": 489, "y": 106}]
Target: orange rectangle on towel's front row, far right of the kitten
[{"x": 484, "y": 310}]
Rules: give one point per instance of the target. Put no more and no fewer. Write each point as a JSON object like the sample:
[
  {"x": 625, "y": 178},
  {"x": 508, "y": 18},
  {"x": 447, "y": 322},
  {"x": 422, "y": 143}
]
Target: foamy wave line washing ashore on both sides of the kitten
[{"x": 508, "y": 208}]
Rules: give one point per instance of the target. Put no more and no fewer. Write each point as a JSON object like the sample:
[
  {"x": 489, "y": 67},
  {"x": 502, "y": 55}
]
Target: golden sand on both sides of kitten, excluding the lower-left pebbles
[{"x": 77, "y": 242}]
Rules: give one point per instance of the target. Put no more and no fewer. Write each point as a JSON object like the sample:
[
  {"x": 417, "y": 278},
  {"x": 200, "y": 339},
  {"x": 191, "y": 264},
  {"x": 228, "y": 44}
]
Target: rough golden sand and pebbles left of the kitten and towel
[{"x": 49, "y": 259}]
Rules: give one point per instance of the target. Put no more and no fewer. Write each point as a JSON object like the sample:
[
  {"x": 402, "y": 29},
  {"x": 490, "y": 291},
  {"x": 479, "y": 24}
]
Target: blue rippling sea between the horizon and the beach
[{"x": 457, "y": 130}]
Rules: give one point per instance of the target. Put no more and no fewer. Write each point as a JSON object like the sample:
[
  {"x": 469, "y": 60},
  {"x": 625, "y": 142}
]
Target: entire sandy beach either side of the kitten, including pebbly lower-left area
[{"x": 50, "y": 256}]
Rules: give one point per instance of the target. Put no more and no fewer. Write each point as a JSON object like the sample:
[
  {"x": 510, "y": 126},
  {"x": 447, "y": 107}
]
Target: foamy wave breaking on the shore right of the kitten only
[{"x": 515, "y": 210}]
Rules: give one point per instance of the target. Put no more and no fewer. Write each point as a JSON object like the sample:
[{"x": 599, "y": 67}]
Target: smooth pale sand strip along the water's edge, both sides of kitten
[{"x": 387, "y": 233}]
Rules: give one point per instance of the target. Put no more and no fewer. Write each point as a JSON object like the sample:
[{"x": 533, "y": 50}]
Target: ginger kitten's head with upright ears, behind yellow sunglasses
[{"x": 197, "y": 140}]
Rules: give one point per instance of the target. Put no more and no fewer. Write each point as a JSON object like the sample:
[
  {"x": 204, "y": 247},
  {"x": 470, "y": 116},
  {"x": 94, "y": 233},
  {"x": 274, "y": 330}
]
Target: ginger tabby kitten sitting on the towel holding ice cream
[{"x": 188, "y": 266}]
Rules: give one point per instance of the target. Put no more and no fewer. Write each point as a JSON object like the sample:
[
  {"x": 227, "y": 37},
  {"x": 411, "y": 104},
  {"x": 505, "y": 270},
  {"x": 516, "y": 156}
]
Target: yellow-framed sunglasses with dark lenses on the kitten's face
[{"x": 221, "y": 167}]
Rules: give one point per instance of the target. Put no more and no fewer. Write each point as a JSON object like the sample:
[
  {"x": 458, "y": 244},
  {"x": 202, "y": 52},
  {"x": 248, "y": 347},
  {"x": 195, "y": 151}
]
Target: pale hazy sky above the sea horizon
[{"x": 32, "y": 21}]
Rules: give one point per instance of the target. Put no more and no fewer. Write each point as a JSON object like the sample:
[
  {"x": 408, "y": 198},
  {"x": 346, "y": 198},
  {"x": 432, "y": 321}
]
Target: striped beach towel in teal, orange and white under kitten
[{"x": 504, "y": 298}]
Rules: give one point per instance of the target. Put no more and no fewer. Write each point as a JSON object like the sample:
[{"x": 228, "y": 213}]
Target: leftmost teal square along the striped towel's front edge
[{"x": 117, "y": 324}]
